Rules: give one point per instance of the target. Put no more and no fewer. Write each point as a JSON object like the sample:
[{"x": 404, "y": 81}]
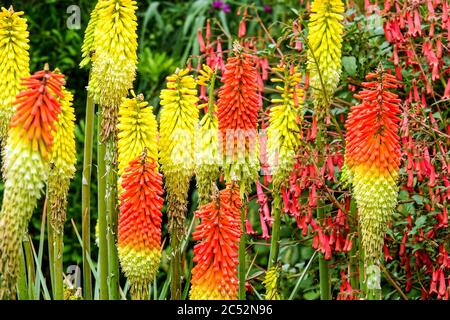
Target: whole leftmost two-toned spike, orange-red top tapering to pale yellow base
[{"x": 27, "y": 156}]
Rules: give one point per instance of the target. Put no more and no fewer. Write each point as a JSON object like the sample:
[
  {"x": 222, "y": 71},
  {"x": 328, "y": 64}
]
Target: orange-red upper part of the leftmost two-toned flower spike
[{"x": 37, "y": 109}]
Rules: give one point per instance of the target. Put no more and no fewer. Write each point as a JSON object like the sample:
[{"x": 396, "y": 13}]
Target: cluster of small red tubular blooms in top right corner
[{"x": 411, "y": 25}]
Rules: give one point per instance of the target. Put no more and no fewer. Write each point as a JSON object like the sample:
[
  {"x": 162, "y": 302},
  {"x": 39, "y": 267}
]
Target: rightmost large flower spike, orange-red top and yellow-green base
[{"x": 372, "y": 159}]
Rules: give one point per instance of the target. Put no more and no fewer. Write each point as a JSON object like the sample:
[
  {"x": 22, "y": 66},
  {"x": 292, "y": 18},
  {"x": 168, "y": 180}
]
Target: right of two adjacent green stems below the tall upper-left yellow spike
[{"x": 112, "y": 220}]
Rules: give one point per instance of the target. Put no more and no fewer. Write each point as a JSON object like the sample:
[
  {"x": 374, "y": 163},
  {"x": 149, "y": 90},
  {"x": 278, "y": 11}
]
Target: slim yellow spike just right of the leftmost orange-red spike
[{"x": 62, "y": 162}]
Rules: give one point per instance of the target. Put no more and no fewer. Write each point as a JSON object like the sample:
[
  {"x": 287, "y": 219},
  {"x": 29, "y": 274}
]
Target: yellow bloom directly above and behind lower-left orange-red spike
[{"x": 138, "y": 130}]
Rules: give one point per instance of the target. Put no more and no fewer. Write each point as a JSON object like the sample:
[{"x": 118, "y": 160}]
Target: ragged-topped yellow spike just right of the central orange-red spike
[{"x": 284, "y": 129}]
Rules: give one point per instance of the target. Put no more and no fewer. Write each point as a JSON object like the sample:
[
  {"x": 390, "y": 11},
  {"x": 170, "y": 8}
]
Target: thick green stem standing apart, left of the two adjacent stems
[{"x": 86, "y": 196}]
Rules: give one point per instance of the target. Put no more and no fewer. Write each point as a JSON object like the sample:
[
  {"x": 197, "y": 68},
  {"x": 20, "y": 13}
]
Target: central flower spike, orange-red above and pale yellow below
[{"x": 238, "y": 108}]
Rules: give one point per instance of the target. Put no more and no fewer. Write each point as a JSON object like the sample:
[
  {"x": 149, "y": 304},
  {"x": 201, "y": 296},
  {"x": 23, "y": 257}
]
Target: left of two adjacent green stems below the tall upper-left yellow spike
[{"x": 102, "y": 220}]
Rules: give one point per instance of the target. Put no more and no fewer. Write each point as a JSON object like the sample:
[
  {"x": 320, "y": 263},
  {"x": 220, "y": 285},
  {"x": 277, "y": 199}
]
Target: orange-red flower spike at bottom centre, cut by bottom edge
[{"x": 215, "y": 275}]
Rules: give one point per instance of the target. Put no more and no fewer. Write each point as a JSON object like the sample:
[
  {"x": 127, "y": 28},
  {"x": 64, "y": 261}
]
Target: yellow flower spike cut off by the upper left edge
[{"x": 14, "y": 63}]
